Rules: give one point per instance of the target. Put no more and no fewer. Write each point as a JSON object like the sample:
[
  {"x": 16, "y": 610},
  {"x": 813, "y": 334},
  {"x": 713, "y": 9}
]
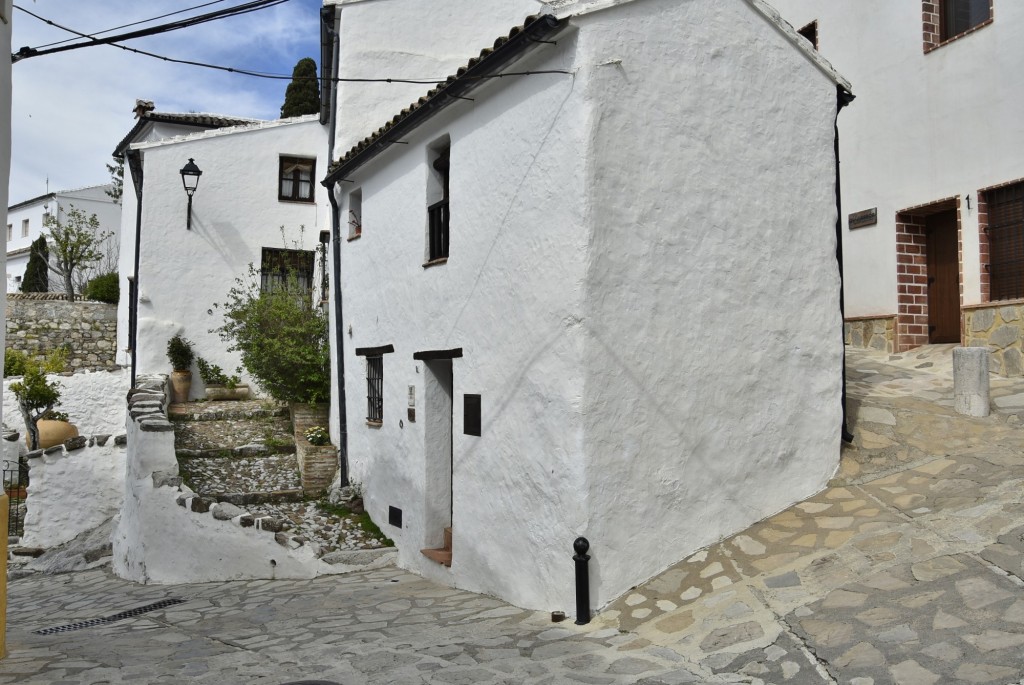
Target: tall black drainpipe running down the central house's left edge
[{"x": 330, "y": 15}]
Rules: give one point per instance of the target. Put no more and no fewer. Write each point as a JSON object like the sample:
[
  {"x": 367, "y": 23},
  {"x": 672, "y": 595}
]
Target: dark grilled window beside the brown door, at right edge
[{"x": 1006, "y": 242}]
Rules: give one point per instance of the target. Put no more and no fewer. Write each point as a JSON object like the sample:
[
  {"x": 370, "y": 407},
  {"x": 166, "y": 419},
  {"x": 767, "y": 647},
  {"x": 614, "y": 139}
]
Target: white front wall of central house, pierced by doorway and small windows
[{"x": 510, "y": 296}]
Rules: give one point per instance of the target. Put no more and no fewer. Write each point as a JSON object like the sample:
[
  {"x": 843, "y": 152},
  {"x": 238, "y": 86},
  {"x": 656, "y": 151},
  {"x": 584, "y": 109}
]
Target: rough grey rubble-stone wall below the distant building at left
[{"x": 39, "y": 323}]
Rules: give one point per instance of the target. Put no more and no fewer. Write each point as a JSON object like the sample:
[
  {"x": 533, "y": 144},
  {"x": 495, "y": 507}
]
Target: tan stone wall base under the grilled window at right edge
[{"x": 998, "y": 326}]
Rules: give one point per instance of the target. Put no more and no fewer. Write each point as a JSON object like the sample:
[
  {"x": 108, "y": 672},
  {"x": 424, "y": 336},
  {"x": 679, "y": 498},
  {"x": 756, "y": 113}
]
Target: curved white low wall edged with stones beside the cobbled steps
[{"x": 158, "y": 541}]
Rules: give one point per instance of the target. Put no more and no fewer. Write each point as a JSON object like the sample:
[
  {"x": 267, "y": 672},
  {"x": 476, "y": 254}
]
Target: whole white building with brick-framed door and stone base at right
[{"x": 932, "y": 178}]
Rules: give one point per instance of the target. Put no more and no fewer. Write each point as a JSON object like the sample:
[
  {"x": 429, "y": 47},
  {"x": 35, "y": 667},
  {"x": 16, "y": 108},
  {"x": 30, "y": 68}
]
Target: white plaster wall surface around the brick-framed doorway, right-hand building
[{"x": 925, "y": 127}]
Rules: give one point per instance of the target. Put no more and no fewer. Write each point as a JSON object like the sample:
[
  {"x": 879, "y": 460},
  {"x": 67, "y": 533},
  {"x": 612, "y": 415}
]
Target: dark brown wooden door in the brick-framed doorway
[{"x": 944, "y": 279}]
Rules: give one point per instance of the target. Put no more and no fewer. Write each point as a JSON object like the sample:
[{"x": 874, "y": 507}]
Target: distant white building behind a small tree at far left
[{"x": 26, "y": 224}]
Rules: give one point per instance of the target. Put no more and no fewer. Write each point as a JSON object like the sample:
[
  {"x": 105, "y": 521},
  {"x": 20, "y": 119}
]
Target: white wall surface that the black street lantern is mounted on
[{"x": 236, "y": 212}]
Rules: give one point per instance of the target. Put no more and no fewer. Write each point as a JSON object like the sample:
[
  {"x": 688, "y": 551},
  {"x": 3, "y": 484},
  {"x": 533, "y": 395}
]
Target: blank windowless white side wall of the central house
[{"x": 713, "y": 342}]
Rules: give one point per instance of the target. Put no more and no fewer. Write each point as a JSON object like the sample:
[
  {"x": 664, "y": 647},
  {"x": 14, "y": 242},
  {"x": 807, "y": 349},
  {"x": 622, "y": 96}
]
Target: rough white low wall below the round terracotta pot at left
[{"x": 95, "y": 475}]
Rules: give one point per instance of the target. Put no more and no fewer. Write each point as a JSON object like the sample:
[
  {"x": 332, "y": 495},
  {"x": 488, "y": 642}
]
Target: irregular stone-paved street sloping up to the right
[{"x": 908, "y": 569}]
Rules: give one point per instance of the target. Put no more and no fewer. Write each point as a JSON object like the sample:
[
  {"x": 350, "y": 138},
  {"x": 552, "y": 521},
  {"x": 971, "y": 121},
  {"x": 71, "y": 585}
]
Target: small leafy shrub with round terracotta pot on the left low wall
[{"x": 36, "y": 397}]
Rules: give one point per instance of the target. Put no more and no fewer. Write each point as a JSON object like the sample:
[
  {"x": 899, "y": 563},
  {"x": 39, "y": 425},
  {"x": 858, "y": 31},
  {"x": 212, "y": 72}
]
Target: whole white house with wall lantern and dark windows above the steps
[{"x": 258, "y": 203}]
